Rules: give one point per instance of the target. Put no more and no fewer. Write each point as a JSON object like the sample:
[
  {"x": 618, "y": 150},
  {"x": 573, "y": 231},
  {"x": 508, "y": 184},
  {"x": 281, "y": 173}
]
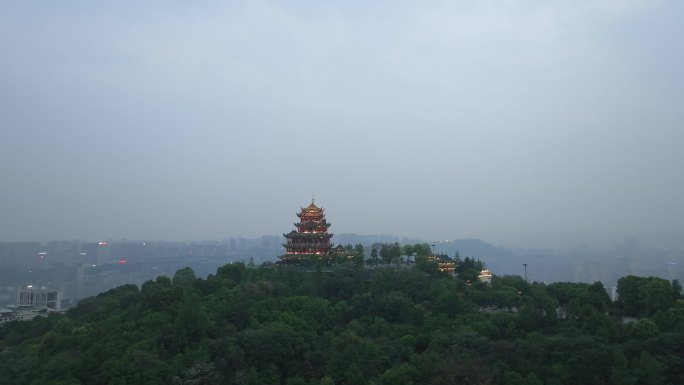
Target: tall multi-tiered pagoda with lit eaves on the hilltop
[{"x": 310, "y": 241}]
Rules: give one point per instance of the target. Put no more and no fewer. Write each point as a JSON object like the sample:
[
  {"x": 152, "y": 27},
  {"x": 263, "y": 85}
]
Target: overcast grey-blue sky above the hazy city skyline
[{"x": 201, "y": 120}]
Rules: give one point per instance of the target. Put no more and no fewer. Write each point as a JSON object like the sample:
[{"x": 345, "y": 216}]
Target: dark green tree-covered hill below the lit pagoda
[{"x": 281, "y": 326}]
